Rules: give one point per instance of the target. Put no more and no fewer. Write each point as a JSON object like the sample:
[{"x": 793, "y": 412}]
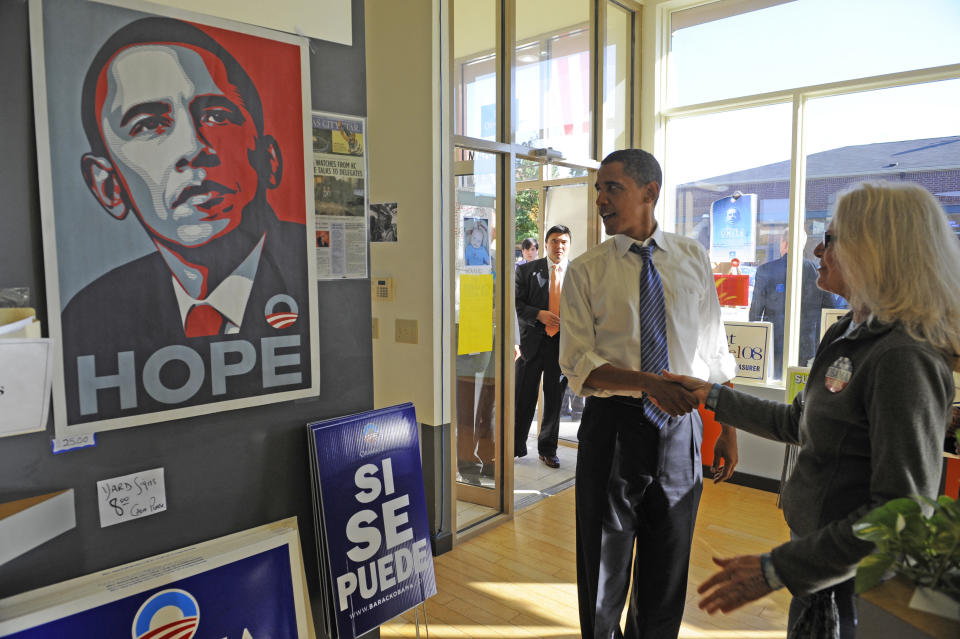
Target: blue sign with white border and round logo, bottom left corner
[{"x": 248, "y": 584}]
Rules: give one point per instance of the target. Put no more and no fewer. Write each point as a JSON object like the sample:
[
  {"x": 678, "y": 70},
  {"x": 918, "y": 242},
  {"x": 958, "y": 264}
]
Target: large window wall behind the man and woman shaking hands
[{"x": 730, "y": 159}]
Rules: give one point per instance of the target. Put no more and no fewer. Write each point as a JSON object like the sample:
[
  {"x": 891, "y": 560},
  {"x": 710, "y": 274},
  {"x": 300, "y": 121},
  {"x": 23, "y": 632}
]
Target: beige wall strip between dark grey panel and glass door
[{"x": 403, "y": 140}]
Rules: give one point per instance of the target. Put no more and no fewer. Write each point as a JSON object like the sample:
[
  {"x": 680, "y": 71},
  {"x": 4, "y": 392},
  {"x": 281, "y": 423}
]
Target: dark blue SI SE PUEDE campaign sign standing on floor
[{"x": 371, "y": 517}]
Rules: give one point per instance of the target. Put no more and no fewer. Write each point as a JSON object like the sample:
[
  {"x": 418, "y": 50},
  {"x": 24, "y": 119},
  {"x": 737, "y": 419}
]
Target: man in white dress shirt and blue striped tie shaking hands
[{"x": 639, "y": 474}]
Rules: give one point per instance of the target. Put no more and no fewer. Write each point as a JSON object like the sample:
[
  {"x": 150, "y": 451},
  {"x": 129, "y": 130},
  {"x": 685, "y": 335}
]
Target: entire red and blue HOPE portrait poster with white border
[{"x": 177, "y": 214}]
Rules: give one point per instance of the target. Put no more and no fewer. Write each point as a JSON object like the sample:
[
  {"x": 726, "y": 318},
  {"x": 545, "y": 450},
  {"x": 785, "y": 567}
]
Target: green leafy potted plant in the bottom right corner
[{"x": 923, "y": 549}]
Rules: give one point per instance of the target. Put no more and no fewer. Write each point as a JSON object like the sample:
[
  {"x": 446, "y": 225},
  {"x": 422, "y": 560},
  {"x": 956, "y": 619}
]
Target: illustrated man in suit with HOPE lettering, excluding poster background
[{"x": 221, "y": 309}]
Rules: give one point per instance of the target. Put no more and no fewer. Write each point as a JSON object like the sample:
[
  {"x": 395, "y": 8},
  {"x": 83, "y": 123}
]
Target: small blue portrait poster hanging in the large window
[{"x": 733, "y": 228}]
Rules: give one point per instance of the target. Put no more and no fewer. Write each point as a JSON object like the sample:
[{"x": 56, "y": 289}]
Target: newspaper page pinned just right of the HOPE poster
[{"x": 340, "y": 193}]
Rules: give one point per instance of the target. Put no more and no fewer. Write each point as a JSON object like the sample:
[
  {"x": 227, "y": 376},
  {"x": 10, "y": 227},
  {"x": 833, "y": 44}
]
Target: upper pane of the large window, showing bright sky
[{"x": 726, "y": 49}]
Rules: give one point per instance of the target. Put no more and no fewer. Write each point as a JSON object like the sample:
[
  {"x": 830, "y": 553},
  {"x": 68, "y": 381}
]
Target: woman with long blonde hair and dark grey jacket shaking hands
[{"x": 872, "y": 418}]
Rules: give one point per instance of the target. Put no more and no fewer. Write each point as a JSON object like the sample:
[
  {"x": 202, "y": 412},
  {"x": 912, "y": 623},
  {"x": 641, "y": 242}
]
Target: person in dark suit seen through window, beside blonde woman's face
[{"x": 769, "y": 303}]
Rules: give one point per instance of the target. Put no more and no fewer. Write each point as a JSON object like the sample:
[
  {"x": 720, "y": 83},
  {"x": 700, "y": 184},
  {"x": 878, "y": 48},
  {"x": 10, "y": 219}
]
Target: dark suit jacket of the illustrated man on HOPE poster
[{"x": 133, "y": 308}]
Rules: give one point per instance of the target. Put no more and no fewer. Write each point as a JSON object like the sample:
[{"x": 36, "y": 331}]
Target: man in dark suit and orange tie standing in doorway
[{"x": 538, "y": 310}]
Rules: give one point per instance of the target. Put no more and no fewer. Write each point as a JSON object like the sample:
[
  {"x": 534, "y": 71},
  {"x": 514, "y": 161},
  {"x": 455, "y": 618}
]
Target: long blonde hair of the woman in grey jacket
[{"x": 901, "y": 260}]
